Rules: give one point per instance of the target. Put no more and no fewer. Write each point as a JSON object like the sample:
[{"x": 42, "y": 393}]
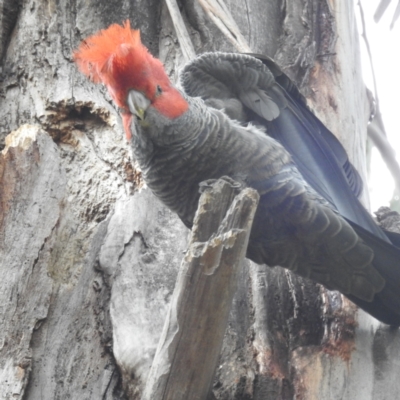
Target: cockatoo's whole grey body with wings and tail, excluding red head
[{"x": 298, "y": 224}]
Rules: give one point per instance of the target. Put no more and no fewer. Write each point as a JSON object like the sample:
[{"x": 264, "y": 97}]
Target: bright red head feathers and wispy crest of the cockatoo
[{"x": 116, "y": 57}]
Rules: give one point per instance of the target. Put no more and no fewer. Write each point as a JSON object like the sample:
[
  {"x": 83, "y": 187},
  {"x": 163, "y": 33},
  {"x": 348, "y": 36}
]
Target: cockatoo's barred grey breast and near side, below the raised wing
[{"x": 205, "y": 144}]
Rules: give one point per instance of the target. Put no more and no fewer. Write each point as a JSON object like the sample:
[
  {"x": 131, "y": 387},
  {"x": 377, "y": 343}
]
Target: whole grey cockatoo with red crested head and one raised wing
[{"x": 239, "y": 116}]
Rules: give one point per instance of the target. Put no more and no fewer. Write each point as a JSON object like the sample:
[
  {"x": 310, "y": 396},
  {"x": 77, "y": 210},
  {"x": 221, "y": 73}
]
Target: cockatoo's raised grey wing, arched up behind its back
[{"x": 271, "y": 99}]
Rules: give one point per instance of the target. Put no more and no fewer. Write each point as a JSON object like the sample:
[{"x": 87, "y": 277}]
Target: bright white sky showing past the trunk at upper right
[{"x": 385, "y": 48}]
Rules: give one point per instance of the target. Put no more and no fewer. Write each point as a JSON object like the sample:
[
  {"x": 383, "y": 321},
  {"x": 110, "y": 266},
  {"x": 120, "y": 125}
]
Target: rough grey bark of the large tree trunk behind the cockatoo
[{"x": 89, "y": 258}]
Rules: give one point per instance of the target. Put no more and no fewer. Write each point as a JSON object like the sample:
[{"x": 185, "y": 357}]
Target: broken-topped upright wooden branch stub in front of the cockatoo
[{"x": 188, "y": 351}]
